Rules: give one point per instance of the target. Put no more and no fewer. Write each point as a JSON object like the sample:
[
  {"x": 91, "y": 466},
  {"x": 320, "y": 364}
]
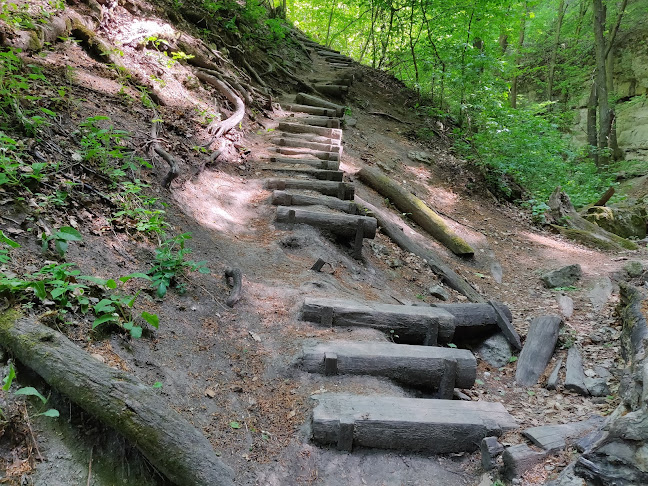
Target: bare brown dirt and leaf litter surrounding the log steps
[{"x": 231, "y": 371}]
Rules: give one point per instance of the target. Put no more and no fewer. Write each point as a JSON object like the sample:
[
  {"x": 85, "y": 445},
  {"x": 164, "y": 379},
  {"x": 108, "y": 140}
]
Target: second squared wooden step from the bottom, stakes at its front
[{"x": 418, "y": 366}]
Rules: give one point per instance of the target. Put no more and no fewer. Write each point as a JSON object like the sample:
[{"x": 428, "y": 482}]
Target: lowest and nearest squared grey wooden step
[{"x": 415, "y": 424}]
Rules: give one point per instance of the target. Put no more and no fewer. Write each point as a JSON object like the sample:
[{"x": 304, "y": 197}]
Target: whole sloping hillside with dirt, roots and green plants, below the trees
[{"x": 137, "y": 147}]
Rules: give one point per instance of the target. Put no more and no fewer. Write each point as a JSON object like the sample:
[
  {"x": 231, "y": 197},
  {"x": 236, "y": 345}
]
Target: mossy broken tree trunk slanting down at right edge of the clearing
[{"x": 579, "y": 229}]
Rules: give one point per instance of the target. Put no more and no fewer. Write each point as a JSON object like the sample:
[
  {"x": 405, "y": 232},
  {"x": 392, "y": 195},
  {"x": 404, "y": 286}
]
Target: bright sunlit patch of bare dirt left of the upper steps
[{"x": 221, "y": 202}]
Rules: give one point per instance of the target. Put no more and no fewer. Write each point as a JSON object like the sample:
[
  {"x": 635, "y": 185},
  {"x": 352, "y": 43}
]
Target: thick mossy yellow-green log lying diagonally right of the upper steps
[{"x": 419, "y": 212}]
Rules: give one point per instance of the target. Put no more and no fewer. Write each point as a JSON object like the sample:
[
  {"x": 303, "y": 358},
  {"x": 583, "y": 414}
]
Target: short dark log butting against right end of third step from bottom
[{"x": 474, "y": 320}]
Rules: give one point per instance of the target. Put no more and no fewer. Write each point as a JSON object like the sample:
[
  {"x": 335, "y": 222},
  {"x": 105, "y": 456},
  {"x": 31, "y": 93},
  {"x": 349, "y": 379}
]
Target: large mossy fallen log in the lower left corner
[{"x": 137, "y": 411}]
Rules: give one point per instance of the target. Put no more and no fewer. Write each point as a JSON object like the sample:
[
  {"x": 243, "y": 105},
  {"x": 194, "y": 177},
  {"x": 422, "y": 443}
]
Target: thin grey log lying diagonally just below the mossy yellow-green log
[{"x": 396, "y": 234}]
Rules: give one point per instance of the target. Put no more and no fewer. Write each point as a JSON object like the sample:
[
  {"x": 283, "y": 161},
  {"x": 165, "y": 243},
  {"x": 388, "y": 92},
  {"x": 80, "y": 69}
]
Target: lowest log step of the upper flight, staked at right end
[{"x": 338, "y": 224}]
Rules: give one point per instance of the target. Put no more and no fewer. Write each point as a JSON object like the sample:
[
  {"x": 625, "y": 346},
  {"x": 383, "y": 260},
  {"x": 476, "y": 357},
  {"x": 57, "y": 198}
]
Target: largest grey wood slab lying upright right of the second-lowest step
[{"x": 538, "y": 349}]
